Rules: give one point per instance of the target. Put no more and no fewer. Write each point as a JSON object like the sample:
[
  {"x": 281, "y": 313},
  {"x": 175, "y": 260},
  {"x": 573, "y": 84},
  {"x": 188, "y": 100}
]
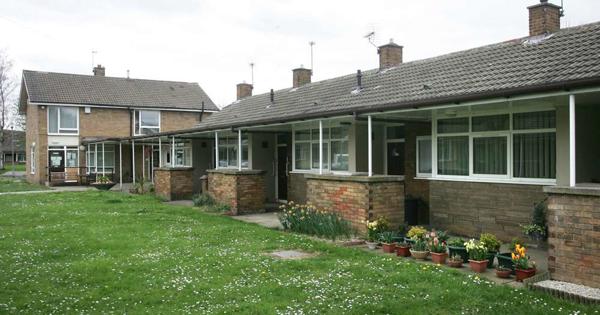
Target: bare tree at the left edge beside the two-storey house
[{"x": 7, "y": 87}]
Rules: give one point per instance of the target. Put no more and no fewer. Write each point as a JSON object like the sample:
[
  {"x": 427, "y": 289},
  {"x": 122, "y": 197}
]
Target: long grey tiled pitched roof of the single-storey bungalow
[{"x": 567, "y": 58}]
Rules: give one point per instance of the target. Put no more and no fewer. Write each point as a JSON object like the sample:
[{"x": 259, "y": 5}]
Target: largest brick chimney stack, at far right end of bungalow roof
[{"x": 544, "y": 18}]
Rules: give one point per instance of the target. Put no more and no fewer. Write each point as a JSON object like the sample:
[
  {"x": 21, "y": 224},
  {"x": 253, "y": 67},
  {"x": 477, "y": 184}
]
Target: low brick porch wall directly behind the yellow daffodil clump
[{"x": 358, "y": 198}]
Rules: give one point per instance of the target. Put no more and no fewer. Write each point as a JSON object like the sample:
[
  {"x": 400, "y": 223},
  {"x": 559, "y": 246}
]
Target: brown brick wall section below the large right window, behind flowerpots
[{"x": 467, "y": 208}]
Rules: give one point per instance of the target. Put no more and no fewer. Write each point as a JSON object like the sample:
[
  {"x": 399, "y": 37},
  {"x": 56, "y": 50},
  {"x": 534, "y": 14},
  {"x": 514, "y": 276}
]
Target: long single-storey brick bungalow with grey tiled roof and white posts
[{"x": 478, "y": 135}]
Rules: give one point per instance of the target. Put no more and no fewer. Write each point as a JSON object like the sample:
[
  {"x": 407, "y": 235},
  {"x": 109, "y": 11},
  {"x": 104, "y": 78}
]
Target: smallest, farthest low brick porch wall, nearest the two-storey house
[{"x": 174, "y": 183}]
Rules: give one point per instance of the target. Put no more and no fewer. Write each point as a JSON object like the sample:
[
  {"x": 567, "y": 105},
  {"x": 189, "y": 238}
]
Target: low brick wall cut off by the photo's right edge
[{"x": 574, "y": 235}]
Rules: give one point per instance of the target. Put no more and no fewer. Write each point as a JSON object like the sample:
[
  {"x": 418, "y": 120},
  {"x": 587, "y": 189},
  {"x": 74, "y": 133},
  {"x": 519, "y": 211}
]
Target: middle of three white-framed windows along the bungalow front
[{"x": 335, "y": 149}]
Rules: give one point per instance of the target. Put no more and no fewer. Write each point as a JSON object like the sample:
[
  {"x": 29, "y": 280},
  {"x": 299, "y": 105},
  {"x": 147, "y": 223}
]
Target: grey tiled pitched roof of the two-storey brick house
[{"x": 64, "y": 88}]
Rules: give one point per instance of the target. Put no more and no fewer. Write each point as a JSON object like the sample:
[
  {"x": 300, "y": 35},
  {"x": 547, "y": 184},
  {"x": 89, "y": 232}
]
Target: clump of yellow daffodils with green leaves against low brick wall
[{"x": 308, "y": 219}]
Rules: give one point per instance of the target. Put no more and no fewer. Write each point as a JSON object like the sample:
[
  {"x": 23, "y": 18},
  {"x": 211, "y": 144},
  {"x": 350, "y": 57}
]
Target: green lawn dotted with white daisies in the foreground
[{"x": 105, "y": 252}]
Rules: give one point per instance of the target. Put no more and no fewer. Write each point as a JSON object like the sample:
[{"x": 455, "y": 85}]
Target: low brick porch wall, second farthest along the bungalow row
[{"x": 243, "y": 191}]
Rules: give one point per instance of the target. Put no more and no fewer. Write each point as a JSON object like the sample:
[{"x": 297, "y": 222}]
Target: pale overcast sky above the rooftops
[{"x": 212, "y": 42}]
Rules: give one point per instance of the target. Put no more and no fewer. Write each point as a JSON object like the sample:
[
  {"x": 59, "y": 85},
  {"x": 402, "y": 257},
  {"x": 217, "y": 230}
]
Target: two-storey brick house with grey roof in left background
[{"x": 63, "y": 111}]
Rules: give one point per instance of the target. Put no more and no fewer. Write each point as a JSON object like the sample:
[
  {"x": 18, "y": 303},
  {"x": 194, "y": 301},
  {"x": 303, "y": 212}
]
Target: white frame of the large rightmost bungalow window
[{"x": 508, "y": 178}]
